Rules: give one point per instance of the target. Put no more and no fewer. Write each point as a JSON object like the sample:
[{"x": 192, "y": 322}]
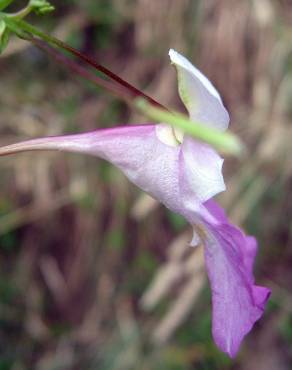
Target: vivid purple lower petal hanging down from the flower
[{"x": 237, "y": 302}]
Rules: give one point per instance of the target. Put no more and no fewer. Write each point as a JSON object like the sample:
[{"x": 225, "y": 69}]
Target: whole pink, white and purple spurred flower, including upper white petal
[{"x": 184, "y": 174}]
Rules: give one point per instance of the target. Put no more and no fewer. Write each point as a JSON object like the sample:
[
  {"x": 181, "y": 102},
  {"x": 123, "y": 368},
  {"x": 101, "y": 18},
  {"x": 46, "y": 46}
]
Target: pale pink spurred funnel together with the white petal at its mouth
[{"x": 181, "y": 177}]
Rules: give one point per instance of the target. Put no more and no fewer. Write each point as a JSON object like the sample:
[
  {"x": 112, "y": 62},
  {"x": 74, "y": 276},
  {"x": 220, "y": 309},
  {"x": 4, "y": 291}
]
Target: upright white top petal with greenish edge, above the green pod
[{"x": 200, "y": 97}]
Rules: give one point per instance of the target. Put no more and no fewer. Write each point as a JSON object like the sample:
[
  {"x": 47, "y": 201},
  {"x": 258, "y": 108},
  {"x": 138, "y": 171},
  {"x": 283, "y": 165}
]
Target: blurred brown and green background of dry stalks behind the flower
[{"x": 94, "y": 274}]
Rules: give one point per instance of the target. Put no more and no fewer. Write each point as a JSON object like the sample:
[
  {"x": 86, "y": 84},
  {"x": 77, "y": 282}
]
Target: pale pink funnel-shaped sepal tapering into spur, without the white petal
[{"x": 136, "y": 150}]
